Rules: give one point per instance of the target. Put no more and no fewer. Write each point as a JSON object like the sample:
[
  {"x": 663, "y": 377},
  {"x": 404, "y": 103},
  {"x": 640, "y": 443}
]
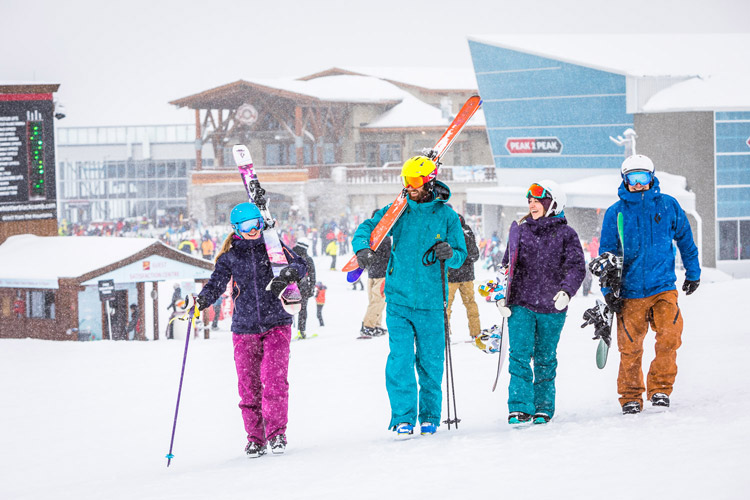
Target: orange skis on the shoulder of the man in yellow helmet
[{"x": 391, "y": 216}]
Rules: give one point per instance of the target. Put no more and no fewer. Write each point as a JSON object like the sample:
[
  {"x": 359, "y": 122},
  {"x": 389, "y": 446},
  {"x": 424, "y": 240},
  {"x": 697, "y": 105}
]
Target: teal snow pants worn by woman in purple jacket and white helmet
[{"x": 534, "y": 336}]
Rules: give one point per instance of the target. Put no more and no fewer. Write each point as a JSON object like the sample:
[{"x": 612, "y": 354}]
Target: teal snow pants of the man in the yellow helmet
[{"x": 417, "y": 340}]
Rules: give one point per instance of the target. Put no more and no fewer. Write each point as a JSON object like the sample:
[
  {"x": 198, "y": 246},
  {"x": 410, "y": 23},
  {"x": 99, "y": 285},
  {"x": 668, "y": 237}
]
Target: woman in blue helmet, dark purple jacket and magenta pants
[{"x": 261, "y": 329}]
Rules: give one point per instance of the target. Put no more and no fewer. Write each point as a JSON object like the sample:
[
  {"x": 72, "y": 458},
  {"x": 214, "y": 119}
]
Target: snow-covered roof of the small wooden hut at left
[{"x": 36, "y": 261}]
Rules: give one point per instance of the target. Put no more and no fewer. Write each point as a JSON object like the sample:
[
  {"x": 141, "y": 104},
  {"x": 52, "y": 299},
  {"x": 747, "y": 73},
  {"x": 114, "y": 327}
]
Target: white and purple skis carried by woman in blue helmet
[{"x": 291, "y": 298}]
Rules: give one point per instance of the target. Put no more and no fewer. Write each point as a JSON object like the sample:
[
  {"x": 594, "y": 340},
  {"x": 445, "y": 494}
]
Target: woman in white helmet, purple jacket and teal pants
[{"x": 546, "y": 268}]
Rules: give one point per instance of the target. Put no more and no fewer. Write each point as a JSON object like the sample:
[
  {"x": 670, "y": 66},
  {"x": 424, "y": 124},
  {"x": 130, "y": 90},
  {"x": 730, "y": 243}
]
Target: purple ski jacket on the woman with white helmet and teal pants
[{"x": 550, "y": 259}]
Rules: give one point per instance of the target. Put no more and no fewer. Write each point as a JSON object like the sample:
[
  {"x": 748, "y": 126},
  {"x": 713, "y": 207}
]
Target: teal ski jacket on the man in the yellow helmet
[{"x": 408, "y": 282}]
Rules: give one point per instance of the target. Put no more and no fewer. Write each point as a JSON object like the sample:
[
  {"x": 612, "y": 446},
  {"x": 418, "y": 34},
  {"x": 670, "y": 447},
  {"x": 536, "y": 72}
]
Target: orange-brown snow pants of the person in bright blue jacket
[{"x": 663, "y": 314}]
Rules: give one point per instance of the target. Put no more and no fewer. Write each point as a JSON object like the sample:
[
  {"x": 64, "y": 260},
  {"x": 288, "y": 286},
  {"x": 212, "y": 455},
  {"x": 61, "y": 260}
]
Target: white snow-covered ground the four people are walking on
[{"x": 85, "y": 420}]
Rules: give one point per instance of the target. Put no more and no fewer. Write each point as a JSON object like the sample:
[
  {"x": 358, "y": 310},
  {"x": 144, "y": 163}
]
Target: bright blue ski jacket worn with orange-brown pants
[{"x": 651, "y": 222}]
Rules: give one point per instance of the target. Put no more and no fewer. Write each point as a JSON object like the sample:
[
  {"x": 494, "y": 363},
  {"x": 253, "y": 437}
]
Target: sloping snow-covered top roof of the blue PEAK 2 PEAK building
[{"x": 637, "y": 54}]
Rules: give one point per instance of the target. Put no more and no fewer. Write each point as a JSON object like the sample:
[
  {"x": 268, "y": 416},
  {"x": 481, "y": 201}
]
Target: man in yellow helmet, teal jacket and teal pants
[{"x": 414, "y": 300}]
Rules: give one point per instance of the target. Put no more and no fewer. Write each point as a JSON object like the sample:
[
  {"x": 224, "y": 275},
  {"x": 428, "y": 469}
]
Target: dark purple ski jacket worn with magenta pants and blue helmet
[{"x": 256, "y": 310}]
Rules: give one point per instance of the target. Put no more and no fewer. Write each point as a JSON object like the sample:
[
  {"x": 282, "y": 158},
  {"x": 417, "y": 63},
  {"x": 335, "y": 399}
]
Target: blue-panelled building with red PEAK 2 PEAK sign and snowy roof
[{"x": 571, "y": 107}]
